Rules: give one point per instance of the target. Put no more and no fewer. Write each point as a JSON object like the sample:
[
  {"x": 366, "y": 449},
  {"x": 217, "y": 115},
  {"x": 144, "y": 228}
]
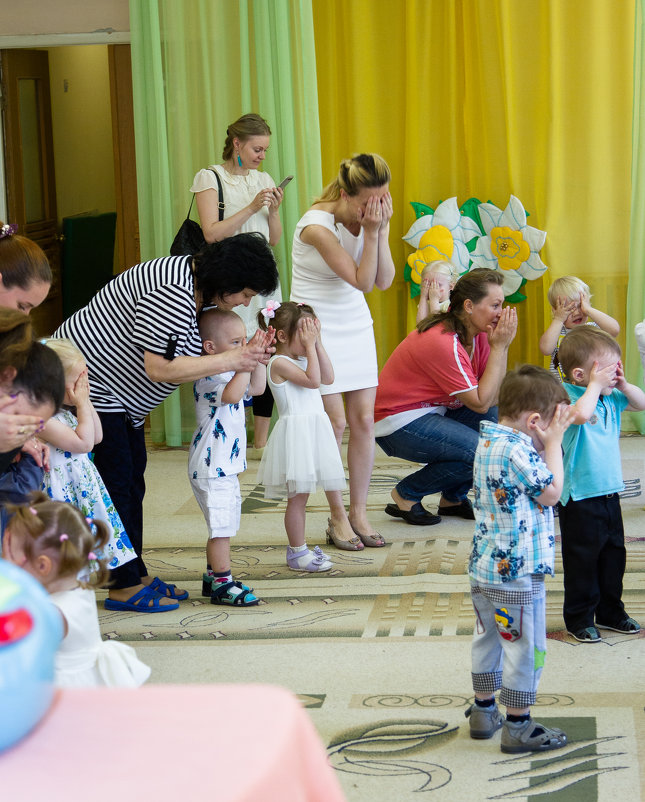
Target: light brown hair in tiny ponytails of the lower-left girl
[{"x": 61, "y": 532}]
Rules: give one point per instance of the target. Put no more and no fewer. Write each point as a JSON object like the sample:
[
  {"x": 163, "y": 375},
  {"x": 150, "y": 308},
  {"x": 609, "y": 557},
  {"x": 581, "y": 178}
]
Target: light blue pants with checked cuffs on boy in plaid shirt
[{"x": 509, "y": 643}]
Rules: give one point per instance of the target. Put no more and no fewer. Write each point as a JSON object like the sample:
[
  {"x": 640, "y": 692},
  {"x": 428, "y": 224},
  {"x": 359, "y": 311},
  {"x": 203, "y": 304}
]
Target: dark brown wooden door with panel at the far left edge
[{"x": 29, "y": 163}]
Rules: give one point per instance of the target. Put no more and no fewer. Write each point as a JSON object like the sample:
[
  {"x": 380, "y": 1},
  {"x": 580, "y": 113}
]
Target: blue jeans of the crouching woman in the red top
[{"x": 446, "y": 445}]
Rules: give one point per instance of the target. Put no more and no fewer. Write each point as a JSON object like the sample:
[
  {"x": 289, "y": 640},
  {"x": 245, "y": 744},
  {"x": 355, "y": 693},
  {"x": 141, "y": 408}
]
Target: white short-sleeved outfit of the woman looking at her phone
[{"x": 238, "y": 191}]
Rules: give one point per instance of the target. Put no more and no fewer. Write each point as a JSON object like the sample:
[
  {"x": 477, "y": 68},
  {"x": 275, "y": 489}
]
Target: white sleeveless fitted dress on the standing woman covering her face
[{"x": 347, "y": 327}]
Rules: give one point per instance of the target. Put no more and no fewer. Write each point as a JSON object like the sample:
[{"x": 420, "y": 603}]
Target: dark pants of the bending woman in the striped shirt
[{"x": 121, "y": 460}]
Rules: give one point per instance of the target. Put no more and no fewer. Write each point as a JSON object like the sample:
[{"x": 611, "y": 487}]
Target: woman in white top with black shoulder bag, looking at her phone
[{"x": 251, "y": 203}]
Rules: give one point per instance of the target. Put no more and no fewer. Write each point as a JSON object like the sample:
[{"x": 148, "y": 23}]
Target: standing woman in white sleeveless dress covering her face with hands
[{"x": 340, "y": 252}]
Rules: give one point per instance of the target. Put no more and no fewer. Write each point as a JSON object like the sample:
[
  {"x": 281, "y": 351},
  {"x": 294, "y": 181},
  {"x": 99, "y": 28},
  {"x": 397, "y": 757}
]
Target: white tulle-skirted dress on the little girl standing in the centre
[{"x": 302, "y": 454}]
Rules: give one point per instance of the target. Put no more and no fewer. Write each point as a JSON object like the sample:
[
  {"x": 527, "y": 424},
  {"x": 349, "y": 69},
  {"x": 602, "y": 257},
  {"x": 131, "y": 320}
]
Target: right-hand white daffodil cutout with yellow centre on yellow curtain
[{"x": 509, "y": 245}]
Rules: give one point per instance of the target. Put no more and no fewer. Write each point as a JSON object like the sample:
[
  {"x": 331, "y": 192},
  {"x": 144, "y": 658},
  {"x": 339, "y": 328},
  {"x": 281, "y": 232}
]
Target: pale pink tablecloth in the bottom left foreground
[{"x": 239, "y": 743}]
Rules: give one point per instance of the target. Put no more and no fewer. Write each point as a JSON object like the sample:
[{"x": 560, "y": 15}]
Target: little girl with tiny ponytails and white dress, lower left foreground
[{"x": 55, "y": 543}]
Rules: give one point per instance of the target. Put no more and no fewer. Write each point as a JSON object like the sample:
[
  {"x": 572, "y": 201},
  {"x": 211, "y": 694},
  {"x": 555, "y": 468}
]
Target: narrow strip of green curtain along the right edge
[{"x": 636, "y": 287}]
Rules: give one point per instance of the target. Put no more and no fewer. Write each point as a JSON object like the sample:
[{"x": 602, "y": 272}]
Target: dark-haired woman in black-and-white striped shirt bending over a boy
[{"x": 140, "y": 340}]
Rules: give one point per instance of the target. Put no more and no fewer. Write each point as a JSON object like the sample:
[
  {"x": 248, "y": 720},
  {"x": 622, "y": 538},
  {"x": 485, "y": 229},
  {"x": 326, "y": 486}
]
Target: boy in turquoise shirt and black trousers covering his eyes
[{"x": 591, "y": 524}]
